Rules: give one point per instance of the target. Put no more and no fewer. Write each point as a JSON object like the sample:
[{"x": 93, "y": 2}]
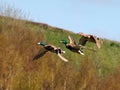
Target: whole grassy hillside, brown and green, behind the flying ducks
[{"x": 95, "y": 71}]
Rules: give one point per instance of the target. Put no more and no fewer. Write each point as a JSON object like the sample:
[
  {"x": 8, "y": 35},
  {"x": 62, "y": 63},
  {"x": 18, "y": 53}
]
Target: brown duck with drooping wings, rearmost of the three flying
[{"x": 89, "y": 38}]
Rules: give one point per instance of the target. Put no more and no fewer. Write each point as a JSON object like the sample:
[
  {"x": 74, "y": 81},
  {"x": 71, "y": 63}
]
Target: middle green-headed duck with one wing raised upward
[{"x": 72, "y": 46}]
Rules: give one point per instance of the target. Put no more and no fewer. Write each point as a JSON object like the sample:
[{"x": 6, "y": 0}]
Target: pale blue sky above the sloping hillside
[{"x": 97, "y": 17}]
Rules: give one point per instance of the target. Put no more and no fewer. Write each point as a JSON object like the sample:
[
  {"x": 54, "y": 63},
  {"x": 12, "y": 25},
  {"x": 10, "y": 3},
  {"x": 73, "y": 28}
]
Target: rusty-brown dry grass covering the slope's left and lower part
[{"x": 19, "y": 72}]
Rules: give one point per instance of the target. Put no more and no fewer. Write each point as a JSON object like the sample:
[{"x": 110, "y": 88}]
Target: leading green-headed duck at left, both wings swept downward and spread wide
[{"x": 50, "y": 48}]
